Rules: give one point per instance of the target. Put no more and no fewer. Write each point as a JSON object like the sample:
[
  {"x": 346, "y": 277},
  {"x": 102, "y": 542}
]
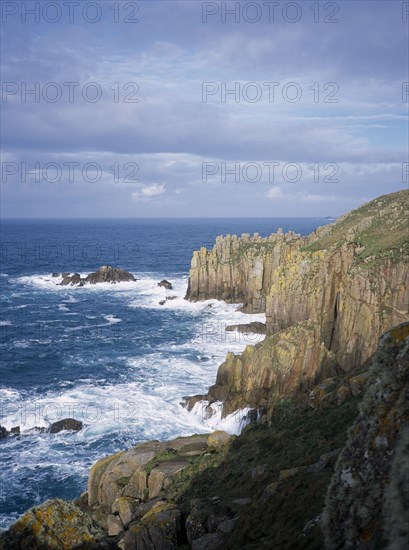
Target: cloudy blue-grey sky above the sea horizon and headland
[{"x": 167, "y": 108}]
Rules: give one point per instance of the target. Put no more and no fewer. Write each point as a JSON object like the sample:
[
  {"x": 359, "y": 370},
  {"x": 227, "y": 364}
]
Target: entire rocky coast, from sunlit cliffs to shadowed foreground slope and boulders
[{"x": 323, "y": 463}]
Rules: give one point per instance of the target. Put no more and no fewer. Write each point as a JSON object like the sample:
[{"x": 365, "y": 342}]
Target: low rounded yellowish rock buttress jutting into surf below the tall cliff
[{"x": 279, "y": 365}]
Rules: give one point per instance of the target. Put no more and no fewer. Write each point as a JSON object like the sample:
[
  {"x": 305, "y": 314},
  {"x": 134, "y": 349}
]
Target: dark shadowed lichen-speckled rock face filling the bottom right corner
[{"x": 359, "y": 510}]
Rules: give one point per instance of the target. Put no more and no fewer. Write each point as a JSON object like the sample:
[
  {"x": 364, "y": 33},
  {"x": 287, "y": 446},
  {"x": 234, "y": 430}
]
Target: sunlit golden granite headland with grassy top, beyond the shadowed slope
[{"x": 327, "y": 298}]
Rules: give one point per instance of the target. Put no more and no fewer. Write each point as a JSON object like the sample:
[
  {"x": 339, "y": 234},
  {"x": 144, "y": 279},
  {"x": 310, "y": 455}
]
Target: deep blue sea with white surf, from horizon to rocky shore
[{"x": 108, "y": 355}]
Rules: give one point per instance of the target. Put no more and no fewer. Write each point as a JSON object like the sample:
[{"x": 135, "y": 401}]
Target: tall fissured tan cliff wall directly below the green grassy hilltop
[{"x": 354, "y": 303}]
